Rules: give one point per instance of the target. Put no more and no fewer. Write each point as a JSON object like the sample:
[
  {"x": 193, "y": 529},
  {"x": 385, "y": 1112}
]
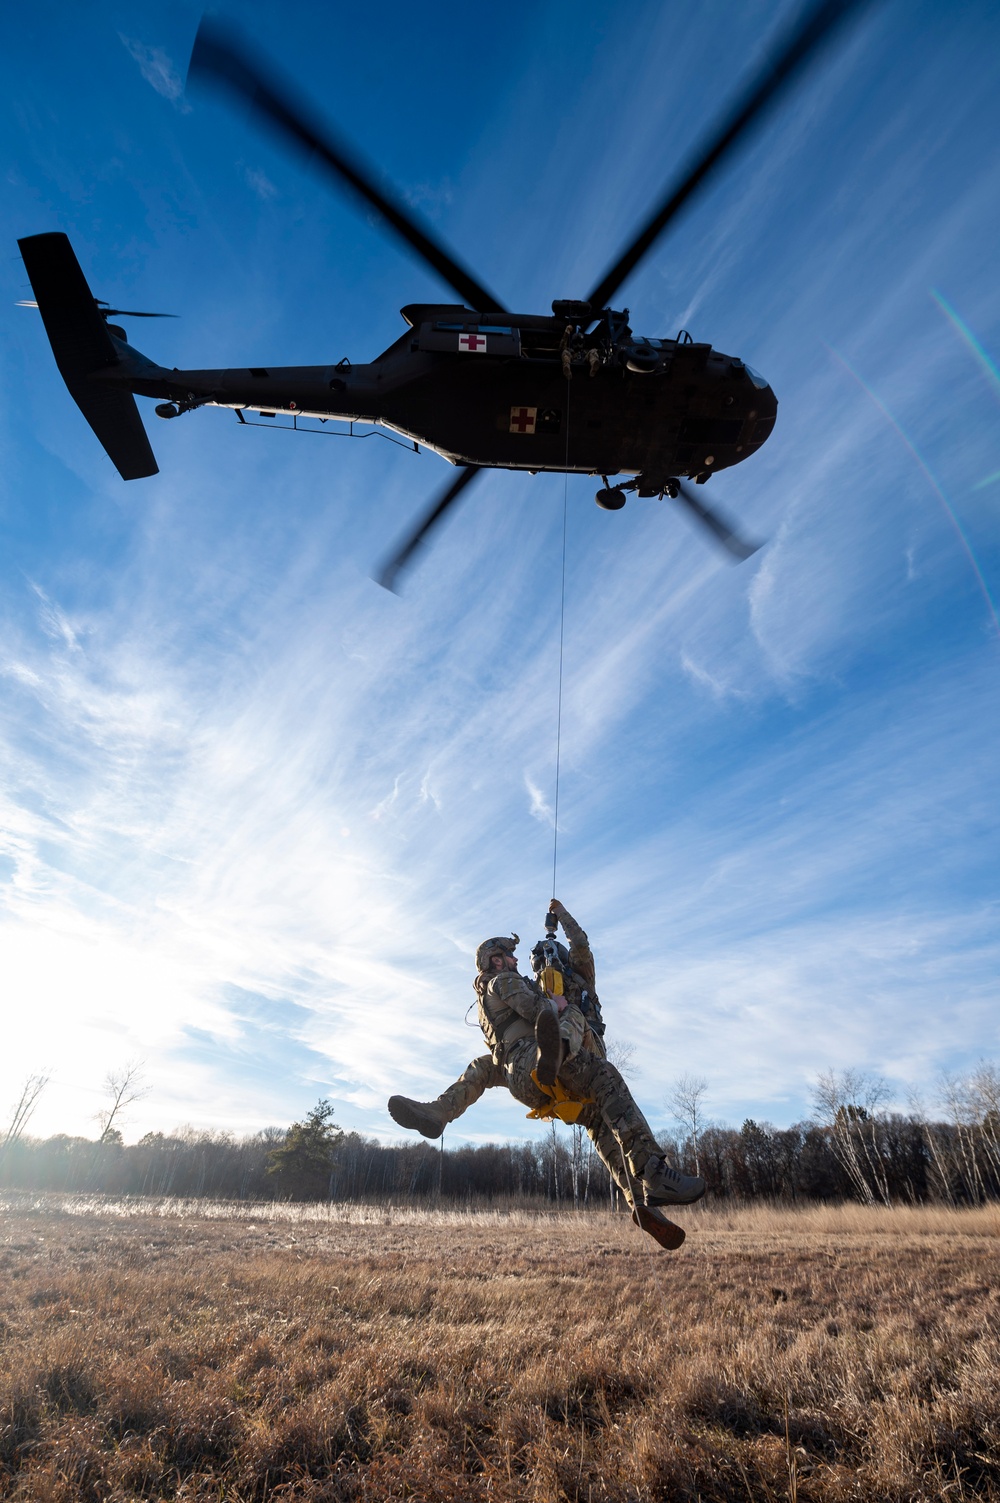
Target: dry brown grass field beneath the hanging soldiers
[{"x": 180, "y": 1350}]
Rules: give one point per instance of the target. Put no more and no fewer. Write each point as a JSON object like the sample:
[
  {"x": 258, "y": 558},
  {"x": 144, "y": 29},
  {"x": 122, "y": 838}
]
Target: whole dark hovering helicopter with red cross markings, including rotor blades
[{"x": 482, "y": 387}]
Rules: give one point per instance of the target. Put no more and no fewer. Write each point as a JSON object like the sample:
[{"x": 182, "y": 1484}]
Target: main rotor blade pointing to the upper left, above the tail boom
[{"x": 222, "y": 61}]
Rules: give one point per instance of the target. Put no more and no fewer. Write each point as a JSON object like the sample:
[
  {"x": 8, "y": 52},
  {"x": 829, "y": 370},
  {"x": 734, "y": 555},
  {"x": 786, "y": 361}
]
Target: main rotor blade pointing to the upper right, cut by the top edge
[{"x": 799, "y": 49}]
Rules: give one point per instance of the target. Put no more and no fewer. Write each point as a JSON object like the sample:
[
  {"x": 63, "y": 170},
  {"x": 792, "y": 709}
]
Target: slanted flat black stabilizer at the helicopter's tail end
[{"x": 82, "y": 346}]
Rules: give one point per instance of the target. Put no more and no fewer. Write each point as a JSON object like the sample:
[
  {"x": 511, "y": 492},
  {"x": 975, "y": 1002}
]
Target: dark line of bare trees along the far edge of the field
[{"x": 852, "y": 1151}]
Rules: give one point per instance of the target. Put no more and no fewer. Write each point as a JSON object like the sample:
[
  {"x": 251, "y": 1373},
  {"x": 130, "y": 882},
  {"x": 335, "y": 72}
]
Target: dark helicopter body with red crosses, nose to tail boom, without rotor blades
[{"x": 529, "y": 393}]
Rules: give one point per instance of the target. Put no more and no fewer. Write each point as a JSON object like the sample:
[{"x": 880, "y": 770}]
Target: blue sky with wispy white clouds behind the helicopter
[{"x": 256, "y": 814}]
